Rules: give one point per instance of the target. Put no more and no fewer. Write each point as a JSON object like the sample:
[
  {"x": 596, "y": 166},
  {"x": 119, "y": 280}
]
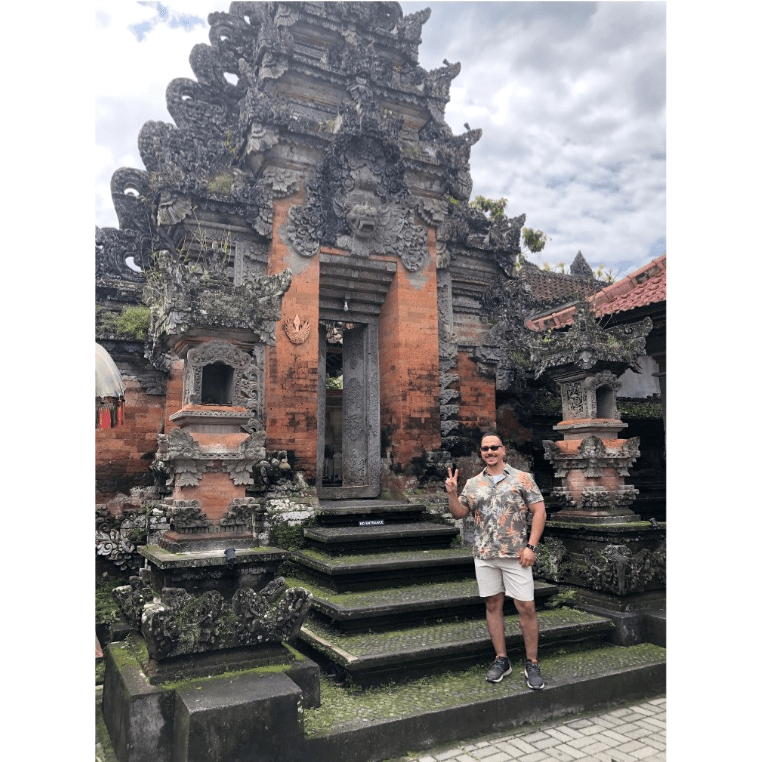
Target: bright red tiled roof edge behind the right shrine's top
[{"x": 645, "y": 286}]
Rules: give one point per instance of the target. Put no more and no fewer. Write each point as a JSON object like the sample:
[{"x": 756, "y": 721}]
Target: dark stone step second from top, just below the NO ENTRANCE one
[{"x": 343, "y": 539}]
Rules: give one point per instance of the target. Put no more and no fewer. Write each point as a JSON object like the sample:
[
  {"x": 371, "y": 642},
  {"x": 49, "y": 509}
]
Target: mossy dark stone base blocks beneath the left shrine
[{"x": 238, "y": 714}]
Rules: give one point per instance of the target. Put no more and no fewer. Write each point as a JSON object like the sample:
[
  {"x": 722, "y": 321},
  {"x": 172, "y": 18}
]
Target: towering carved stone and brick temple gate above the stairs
[{"x": 314, "y": 216}]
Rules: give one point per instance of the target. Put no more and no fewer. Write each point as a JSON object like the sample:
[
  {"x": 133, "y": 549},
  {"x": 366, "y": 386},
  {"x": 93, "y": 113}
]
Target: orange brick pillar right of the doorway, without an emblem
[{"x": 408, "y": 347}]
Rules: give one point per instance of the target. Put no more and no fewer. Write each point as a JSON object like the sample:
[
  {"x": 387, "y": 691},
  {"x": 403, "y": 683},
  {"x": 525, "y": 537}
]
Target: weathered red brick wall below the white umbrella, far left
[{"x": 123, "y": 454}]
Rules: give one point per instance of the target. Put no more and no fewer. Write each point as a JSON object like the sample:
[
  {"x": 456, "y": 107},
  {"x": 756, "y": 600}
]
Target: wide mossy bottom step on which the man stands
[{"x": 433, "y": 710}]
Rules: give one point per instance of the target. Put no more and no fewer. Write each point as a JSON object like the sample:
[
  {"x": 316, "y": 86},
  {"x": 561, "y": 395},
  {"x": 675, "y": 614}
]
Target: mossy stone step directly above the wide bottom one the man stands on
[{"x": 371, "y": 657}]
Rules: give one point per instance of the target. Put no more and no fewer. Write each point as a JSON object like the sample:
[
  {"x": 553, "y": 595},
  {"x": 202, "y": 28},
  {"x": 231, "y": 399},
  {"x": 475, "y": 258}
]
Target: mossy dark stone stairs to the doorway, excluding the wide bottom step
[{"x": 395, "y": 598}]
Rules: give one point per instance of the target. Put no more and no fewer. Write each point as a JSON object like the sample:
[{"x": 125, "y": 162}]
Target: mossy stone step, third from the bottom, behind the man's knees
[{"x": 416, "y": 603}]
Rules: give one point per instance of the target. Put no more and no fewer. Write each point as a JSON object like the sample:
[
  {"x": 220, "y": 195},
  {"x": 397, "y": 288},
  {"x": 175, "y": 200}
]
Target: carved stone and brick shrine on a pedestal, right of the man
[{"x": 596, "y": 541}]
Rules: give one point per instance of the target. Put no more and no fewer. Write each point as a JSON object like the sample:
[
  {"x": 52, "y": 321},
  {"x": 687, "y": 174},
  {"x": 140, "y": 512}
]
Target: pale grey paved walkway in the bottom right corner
[{"x": 629, "y": 734}]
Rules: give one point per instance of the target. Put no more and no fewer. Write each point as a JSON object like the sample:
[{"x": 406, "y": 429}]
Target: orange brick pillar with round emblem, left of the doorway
[{"x": 291, "y": 378}]
